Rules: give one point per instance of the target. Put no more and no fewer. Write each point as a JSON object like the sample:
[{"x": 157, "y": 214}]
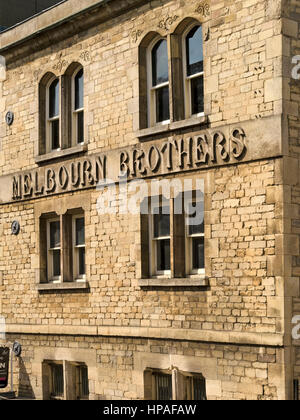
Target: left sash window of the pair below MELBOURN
[{"x": 54, "y": 250}]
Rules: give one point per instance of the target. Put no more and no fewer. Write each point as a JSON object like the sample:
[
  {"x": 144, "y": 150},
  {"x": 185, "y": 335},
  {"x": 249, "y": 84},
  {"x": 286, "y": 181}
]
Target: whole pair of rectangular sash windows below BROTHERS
[{"x": 173, "y": 237}]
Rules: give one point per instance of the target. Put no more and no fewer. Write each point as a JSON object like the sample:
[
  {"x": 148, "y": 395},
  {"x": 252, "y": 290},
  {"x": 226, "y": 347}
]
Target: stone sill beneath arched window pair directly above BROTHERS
[{"x": 174, "y": 126}]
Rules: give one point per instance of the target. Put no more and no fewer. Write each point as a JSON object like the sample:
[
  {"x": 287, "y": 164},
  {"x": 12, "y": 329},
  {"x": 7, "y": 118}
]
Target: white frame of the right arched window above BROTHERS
[{"x": 188, "y": 79}]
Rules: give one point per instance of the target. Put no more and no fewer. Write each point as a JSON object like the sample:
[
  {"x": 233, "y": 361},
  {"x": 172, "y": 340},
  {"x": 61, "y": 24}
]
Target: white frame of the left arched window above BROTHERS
[{"x": 151, "y": 95}]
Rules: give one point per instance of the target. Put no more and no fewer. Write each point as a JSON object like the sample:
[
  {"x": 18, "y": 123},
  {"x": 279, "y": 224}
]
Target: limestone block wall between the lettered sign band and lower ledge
[{"x": 244, "y": 292}]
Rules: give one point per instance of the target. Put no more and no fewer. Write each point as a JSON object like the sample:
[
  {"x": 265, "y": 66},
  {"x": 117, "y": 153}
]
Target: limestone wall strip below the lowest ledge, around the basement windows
[{"x": 116, "y": 365}]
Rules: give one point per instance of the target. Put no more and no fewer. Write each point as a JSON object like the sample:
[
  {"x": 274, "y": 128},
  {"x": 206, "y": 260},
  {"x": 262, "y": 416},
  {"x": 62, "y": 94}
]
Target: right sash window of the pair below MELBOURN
[{"x": 79, "y": 247}]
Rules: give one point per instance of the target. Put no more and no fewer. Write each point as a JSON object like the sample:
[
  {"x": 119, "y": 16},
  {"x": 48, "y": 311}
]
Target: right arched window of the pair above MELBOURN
[{"x": 78, "y": 108}]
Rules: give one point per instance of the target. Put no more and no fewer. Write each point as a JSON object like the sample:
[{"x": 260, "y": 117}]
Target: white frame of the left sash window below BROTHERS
[{"x": 153, "y": 247}]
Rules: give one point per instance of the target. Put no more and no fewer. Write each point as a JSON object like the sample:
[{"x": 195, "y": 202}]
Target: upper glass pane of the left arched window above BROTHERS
[{"x": 160, "y": 72}]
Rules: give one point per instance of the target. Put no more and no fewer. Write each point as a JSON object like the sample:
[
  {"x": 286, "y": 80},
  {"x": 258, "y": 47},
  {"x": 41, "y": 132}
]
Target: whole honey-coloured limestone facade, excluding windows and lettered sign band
[{"x": 251, "y": 213}]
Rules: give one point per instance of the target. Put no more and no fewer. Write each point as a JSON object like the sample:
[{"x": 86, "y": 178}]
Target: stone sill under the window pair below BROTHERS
[{"x": 194, "y": 281}]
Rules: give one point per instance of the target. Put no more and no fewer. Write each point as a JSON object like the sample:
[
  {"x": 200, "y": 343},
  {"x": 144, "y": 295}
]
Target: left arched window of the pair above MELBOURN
[{"x": 53, "y": 115}]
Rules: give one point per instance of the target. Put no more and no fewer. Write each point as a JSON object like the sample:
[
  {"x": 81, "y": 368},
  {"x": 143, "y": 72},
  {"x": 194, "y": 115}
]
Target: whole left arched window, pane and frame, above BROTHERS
[{"x": 159, "y": 108}]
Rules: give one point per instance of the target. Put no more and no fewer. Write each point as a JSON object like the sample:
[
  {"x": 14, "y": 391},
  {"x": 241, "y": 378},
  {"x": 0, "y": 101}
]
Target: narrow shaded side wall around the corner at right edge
[{"x": 292, "y": 170}]
